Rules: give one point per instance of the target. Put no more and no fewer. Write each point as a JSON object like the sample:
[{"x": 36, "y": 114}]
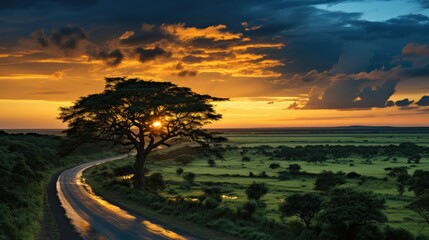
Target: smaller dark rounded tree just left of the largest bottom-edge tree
[{"x": 304, "y": 206}]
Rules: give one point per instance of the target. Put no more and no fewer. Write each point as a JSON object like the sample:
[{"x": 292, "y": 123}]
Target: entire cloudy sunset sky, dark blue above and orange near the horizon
[{"x": 282, "y": 63}]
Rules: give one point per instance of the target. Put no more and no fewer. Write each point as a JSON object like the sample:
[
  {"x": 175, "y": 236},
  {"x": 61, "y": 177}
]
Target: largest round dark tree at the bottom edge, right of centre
[{"x": 347, "y": 212}]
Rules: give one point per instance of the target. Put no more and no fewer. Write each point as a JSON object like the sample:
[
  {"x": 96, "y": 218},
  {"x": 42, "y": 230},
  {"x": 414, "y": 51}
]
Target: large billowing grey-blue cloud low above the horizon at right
[{"x": 353, "y": 94}]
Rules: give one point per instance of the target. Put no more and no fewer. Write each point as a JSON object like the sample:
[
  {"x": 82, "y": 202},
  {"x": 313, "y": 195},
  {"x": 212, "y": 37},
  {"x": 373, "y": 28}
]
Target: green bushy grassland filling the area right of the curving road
[{"x": 357, "y": 191}]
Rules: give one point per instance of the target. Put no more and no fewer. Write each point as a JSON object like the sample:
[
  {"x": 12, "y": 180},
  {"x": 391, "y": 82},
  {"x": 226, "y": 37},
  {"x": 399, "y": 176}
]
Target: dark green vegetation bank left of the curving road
[{"x": 27, "y": 161}]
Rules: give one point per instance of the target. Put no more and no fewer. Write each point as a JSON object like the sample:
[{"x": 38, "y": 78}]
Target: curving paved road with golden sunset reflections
[{"x": 95, "y": 218}]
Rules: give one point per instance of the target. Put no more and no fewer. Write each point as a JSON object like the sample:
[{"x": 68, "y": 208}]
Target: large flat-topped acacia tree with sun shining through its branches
[{"x": 142, "y": 115}]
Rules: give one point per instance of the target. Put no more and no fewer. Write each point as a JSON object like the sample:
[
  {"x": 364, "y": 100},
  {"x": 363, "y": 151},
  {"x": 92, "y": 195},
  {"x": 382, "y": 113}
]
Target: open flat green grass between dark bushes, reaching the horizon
[{"x": 233, "y": 175}]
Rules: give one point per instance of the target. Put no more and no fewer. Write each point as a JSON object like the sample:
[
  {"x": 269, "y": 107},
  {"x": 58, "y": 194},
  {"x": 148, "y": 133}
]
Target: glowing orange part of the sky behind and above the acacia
[{"x": 36, "y": 81}]
